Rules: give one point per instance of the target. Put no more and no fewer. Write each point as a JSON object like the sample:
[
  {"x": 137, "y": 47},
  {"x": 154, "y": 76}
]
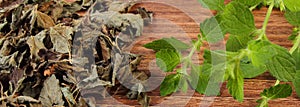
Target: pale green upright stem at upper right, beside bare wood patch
[{"x": 265, "y": 24}]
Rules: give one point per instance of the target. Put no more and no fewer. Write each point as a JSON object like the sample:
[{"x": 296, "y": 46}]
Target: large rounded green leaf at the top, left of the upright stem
[{"x": 238, "y": 19}]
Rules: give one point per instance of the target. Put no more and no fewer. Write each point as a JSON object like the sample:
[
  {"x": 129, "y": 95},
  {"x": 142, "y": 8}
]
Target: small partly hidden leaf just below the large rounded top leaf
[{"x": 235, "y": 43}]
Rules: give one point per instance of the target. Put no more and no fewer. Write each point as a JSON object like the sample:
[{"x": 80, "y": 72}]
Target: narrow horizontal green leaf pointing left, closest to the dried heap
[{"x": 167, "y": 43}]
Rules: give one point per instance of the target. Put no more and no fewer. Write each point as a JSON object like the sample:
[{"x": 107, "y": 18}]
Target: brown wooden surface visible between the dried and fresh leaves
[{"x": 278, "y": 30}]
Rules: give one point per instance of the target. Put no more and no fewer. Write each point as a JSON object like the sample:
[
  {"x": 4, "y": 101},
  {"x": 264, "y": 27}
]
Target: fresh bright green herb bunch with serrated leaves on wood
[{"x": 248, "y": 54}]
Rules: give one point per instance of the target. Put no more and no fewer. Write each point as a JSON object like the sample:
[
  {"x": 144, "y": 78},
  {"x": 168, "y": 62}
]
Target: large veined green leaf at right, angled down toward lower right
[{"x": 277, "y": 59}]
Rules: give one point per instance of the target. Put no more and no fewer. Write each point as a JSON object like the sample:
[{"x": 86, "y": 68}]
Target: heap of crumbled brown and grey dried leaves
[{"x": 65, "y": 52}]
